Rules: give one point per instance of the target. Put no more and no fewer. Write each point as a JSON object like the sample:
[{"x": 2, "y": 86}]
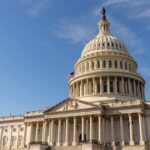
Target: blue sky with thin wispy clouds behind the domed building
[{"x": 40, "y": 40}]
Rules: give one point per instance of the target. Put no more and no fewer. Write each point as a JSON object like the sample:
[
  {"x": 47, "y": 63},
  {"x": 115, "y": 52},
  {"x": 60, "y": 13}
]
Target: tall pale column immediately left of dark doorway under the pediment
[{"x": 74, "y": 143}]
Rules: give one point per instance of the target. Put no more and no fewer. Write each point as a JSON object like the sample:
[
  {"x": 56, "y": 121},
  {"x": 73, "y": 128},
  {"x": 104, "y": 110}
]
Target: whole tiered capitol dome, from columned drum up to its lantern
[{"x": 106, "y": 71}]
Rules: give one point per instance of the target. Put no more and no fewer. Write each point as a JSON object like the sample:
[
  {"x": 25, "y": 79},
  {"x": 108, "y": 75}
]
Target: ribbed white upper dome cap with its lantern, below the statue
[{"x": 104, "y": 41}]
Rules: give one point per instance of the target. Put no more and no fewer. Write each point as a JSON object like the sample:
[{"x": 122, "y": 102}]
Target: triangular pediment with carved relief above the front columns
[{"x": 70, "y": 104}]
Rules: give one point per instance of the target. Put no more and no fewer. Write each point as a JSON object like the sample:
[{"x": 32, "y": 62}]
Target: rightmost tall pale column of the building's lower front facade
[{"x": 141, "y": 129}]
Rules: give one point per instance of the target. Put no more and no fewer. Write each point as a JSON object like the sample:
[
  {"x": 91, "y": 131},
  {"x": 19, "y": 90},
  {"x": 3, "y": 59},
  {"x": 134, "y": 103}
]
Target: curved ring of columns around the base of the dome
[{"x": 107, "y": 85}]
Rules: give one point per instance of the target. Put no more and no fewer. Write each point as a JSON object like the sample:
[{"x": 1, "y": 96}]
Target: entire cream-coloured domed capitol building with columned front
[{"x": 106, "y": 109}]
